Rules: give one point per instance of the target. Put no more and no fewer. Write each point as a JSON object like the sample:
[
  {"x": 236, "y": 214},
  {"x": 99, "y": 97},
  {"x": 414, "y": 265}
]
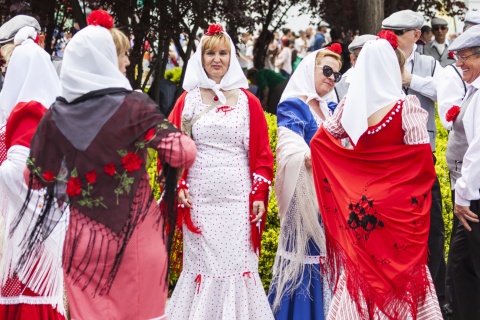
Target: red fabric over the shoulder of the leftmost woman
[{"x": 22, "y": 123}]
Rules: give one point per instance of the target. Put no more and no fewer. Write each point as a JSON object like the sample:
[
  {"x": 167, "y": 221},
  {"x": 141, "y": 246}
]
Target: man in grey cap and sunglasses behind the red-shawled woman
[{"x": 420, "y": 75}]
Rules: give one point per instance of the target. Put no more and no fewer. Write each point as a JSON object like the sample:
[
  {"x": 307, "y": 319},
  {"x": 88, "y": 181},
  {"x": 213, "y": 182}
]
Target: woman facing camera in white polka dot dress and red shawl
[{"x": 224, "y": 194}]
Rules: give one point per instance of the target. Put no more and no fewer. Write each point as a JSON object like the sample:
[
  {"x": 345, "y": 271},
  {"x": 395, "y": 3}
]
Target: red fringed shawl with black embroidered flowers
[{"x": 375, "y": 205}]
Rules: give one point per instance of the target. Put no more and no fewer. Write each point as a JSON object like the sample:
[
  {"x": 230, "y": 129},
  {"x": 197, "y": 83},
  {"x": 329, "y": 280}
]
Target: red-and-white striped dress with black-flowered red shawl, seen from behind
[{"x": 391, "y": 249}]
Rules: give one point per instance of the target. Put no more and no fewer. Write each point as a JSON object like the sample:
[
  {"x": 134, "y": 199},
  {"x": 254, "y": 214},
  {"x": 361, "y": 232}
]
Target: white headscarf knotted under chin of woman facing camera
[{"x": 195, "y": 74}]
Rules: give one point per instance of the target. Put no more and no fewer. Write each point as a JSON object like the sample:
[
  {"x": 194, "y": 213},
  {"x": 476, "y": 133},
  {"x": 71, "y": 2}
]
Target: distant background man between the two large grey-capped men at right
[{"x": 438, "y": 47}]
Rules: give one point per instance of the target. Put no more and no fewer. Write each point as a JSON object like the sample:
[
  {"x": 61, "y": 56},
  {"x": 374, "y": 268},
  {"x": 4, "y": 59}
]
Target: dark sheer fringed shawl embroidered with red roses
[{"x": 91, "y": 157}]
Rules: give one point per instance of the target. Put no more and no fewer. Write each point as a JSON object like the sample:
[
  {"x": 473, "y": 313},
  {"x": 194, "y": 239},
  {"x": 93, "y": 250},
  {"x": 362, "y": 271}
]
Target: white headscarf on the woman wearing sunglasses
[{"x": 302, "y": 83}]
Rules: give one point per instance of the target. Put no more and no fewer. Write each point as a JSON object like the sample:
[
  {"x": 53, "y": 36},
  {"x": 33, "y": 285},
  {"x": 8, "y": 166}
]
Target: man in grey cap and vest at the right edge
[{"x": 464, "y": 149}]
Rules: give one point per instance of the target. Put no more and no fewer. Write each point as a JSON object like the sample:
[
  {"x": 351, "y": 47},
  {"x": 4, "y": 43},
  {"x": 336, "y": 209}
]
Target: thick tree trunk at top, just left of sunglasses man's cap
[{"x": 370, "y": 15}]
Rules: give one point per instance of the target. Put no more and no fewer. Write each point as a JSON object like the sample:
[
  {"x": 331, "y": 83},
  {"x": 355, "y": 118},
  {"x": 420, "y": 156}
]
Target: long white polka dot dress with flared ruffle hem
[{"x": 229, "y": 286}]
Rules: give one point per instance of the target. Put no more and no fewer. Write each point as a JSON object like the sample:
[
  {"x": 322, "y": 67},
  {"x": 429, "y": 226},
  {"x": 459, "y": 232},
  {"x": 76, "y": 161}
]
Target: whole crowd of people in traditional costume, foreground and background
[{"x": 361, "y": 228}]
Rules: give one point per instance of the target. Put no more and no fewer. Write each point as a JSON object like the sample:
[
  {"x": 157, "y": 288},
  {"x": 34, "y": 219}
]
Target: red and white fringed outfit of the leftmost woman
[{"x": 36, "y": 292}]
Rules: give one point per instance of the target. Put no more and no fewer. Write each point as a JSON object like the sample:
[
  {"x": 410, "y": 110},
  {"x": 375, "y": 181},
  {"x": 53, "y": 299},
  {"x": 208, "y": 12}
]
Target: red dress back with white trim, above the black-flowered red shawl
[{"x": 388, "y": 135}]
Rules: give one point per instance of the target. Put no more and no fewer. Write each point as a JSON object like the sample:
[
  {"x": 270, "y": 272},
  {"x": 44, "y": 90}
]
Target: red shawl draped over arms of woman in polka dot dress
[{"x": 260, "y": 155}]
